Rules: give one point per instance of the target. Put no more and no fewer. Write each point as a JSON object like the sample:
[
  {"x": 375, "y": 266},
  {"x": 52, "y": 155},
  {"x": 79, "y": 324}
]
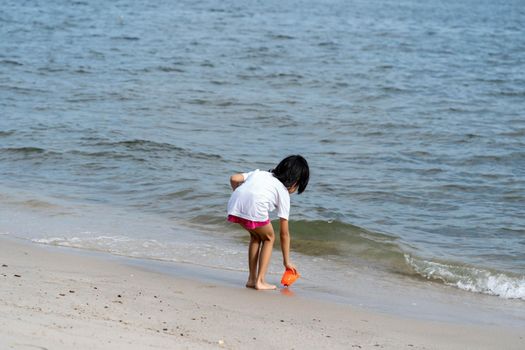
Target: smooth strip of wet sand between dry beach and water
[{"x": 429, "y": 302}]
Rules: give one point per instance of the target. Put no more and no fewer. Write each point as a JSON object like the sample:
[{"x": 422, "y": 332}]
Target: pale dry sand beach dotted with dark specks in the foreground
[{"x": 53, "y": 298}]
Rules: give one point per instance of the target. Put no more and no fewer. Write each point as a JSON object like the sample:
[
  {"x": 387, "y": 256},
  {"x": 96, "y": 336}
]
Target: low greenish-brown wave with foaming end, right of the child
[{"x": 349, "y": 243}]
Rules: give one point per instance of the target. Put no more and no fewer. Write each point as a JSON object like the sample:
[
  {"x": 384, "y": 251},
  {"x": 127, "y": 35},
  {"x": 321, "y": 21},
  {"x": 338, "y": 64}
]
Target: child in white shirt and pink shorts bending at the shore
[{"x": 257, "y": 193}]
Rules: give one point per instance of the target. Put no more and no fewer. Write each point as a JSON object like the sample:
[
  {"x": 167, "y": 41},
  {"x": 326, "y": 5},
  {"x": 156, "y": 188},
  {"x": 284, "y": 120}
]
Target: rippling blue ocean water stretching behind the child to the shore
[{"x": 121, "y": 122}]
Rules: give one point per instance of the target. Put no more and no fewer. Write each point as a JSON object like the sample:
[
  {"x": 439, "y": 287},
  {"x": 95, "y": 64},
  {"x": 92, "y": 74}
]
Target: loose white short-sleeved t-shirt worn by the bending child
[{"x": 259, "y": 194}]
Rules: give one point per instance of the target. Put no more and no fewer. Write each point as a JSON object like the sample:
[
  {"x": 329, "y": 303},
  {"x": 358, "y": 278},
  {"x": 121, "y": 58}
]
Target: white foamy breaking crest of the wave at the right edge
[{"x": 470, "y": 278}]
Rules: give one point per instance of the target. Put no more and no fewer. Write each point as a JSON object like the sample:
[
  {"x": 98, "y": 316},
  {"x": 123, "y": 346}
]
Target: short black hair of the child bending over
[{"x": 293, "y": 170}]
